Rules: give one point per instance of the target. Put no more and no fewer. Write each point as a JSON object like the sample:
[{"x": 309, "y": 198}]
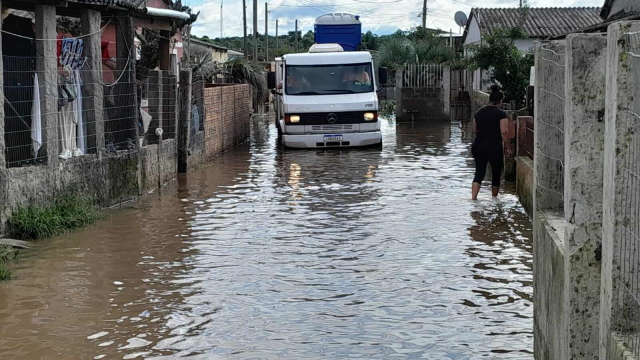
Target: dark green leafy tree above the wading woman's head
[{"x": 505, "y": 64}]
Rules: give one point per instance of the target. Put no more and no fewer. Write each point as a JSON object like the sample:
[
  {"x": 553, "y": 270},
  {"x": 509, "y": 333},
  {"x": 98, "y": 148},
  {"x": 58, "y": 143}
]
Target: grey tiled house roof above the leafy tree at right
[{"x": 539, "y": 22}]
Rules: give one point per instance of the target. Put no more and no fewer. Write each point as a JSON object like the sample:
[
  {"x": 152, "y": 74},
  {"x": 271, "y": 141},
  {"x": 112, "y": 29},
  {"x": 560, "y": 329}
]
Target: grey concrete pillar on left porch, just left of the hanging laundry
[{"x": 47, "y": 70}]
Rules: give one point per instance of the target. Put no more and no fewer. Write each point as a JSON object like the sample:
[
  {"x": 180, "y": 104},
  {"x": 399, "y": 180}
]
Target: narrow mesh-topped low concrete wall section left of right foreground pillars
[{"x": 550, "y": 325}]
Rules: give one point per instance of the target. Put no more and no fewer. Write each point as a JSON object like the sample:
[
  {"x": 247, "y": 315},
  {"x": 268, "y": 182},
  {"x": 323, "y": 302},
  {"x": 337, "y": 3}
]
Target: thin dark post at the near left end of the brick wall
[{"x": 184, "y": 120}]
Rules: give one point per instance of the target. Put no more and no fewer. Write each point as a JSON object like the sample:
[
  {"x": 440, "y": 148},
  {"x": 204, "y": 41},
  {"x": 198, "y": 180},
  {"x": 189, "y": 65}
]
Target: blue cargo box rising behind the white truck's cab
[{"x": 339, "y": 28}]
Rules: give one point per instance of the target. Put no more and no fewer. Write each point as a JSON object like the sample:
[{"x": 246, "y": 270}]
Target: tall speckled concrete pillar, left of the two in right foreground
[{"x": 584, "y": 151}]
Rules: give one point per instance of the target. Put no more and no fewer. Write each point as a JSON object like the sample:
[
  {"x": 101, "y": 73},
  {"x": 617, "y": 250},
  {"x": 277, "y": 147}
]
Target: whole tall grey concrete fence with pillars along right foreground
[{"x": 587, "y": 137}]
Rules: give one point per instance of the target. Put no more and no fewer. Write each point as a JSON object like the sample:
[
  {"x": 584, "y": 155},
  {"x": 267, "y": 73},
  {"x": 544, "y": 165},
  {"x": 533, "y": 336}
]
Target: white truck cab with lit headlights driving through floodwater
[{"x": 327, "y": 98}]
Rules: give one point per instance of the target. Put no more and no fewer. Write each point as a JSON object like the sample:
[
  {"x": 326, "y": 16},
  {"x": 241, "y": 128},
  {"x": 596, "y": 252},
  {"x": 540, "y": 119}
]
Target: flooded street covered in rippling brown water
[{"x": 269, "y": 254}]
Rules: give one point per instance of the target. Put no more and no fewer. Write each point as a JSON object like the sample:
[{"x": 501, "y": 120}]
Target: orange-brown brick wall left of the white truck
[{"x": 227, "y": 115}]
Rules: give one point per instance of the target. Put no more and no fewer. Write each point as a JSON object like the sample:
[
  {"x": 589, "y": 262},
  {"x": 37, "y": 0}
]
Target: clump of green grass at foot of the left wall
[{"x": 68, "y": 212}]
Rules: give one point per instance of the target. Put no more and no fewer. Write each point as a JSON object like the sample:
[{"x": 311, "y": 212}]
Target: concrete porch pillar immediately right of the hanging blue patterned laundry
[{"x": 93, "y": 96}]
